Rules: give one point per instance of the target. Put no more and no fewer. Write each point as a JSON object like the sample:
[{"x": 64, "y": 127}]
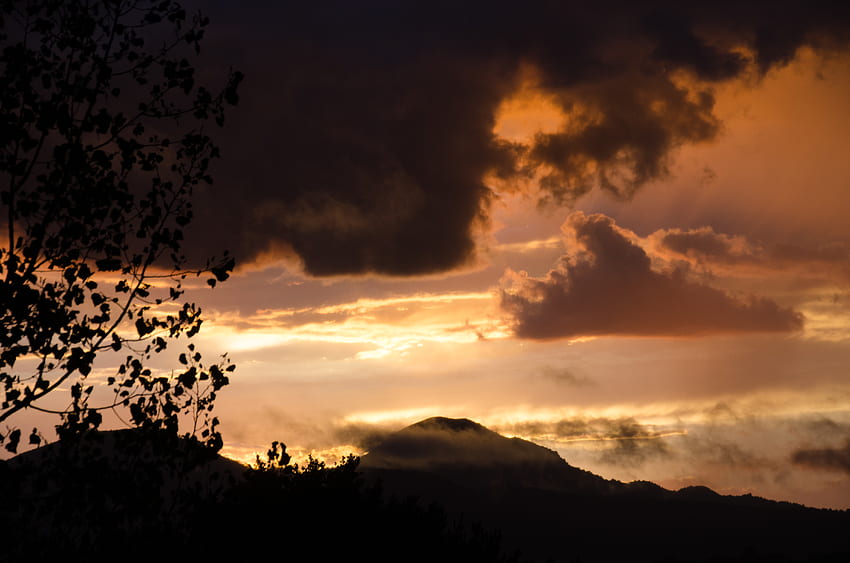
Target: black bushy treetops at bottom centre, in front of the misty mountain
[{"x": 331, "y": 511}]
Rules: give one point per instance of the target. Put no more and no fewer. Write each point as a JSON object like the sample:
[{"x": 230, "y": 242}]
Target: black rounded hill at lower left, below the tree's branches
[{"x": 108, "y": 489}]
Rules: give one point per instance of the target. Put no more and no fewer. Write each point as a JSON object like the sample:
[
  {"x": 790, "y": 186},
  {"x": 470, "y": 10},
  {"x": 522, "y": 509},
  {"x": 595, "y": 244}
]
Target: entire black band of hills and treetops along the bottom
[{"x": 95, "y": 498}]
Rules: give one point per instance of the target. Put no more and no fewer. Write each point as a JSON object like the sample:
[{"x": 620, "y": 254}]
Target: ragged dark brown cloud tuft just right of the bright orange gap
[{"x": 628, "y": 125}]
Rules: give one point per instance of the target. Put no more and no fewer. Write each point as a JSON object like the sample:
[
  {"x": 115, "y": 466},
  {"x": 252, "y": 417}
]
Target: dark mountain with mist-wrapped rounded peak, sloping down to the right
[{"x": 549, "y": 510}]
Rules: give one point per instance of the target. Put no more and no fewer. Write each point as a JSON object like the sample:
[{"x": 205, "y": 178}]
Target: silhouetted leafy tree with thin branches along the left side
[{"x": 103, "y": 138}]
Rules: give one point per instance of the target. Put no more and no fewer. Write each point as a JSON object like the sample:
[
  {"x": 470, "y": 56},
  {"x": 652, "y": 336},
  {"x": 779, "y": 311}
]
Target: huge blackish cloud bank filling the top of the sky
[{"x": 365, "y": 129}]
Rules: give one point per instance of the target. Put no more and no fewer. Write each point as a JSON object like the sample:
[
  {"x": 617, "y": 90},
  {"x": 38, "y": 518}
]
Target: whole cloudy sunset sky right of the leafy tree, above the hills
[{"x": 620, "y": 232}]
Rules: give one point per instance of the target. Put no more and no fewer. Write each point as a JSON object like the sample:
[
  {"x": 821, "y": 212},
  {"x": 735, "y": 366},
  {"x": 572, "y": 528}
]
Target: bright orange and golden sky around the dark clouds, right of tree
[{"x": 322, "y": 363}]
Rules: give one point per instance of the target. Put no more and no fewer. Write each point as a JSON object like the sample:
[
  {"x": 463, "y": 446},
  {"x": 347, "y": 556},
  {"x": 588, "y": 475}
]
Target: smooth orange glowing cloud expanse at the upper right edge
[{"x": 775, "y": 173}]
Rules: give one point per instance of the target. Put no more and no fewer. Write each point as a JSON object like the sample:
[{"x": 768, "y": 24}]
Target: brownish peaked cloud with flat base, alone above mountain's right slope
[{"x": 606, "y": 285}]
